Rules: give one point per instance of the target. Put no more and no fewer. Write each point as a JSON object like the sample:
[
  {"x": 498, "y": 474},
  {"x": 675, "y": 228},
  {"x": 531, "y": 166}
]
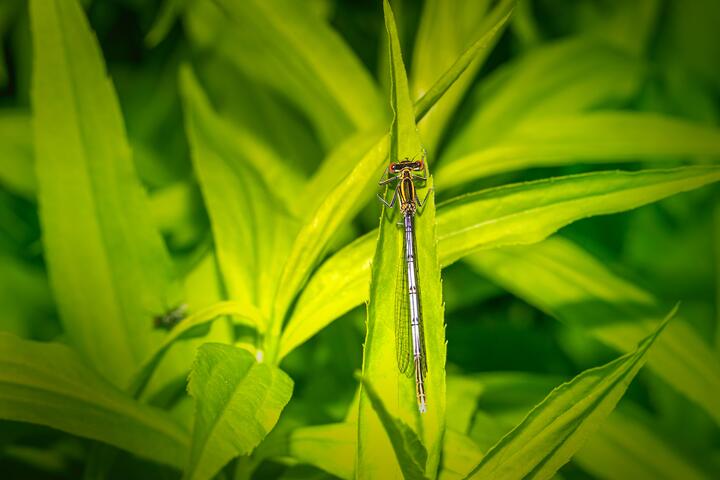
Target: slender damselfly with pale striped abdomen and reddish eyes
[{"x": 408, "y": 314}]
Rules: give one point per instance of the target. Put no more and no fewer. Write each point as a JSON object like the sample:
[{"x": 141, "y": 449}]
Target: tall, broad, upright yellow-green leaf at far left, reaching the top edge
[{"x": 108, "y": 267}]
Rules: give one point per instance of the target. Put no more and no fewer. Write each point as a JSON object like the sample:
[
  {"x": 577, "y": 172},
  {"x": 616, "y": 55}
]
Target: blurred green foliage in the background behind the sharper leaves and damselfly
[{"x": 545, "y": 86}]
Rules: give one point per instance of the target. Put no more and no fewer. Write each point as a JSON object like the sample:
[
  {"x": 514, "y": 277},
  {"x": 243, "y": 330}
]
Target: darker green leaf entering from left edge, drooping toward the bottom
[{"x": 49, "y": 384}]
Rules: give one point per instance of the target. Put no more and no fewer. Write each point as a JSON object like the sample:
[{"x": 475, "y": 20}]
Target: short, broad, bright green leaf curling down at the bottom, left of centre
[{"x": 237, "y": 402}]
